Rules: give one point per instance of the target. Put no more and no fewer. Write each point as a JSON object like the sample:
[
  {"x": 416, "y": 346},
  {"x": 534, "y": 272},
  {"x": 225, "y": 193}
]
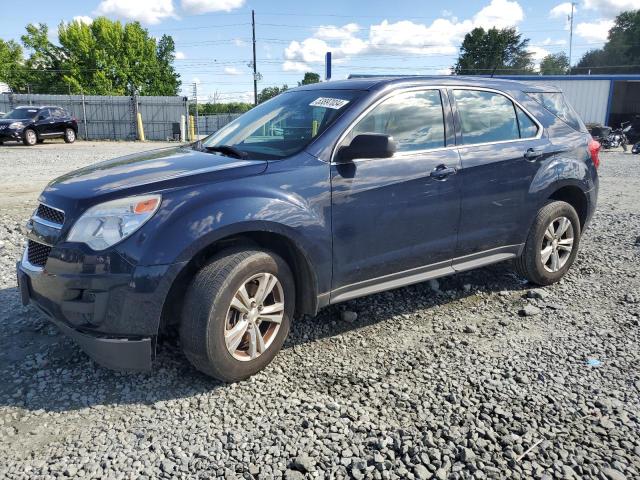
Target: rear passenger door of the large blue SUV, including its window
[{"x": 502, "y": 148}]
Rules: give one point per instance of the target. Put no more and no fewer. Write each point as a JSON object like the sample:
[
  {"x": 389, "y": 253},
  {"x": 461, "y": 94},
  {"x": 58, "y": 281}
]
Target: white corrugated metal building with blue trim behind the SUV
[{"x": 603, "y": 99}]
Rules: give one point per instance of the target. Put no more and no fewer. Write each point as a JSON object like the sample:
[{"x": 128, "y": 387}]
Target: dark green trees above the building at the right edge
[{"x": 621, "y": 52}]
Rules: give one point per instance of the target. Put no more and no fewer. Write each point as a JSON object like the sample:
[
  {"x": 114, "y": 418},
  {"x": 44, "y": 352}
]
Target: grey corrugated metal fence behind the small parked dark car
[{"x": 113, "y": 117}]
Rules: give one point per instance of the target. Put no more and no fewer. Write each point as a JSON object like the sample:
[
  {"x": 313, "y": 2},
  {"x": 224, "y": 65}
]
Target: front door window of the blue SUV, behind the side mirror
[{"x": 414, "y": 119}]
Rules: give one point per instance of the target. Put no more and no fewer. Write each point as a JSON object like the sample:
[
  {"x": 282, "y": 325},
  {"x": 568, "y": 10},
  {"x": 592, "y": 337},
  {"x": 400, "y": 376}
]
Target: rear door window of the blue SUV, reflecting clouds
[{"x": 486, "y": 117}]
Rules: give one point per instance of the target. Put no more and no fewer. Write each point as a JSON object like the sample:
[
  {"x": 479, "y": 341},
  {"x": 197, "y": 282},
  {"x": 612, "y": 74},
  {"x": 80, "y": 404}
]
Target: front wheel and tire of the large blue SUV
[{"x": 208, "y": 314}]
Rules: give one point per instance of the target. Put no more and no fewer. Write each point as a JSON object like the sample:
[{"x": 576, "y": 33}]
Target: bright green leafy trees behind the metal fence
[{"x": 103, "y": 58}]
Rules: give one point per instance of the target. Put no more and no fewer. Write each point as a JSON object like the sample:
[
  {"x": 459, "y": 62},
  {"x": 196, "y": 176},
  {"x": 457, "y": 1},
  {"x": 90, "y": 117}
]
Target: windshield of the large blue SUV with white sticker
[{"x": 284, "y": 125}]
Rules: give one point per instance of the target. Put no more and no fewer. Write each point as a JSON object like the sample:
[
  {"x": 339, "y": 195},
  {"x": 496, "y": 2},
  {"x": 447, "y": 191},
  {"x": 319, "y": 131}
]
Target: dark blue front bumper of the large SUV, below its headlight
[{"x": 114, "y": 318}]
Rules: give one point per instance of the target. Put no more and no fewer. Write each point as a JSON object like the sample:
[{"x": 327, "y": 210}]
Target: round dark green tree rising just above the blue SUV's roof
[{"x": 495, "y": 50}]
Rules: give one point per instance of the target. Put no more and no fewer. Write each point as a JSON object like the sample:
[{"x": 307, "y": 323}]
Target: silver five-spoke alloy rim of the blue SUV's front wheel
[{"x": 254, "y": 317}]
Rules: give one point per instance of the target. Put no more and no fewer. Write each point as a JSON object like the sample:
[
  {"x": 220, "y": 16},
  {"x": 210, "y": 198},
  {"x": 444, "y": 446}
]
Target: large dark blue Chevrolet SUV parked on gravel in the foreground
[{"x": 325, "y": 193}]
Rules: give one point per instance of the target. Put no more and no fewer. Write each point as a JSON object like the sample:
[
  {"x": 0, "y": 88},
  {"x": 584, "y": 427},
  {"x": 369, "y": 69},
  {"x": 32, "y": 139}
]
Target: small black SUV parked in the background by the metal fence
[{"x": 31, "y": 125}]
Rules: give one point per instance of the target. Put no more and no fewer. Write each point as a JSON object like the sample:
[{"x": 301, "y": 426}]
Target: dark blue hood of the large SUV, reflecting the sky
[{"x": 150, "y": 171}]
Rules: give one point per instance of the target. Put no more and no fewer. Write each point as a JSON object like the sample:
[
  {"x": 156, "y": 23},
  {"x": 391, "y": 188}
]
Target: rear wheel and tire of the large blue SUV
[{"x": 532, "y": 264}]
